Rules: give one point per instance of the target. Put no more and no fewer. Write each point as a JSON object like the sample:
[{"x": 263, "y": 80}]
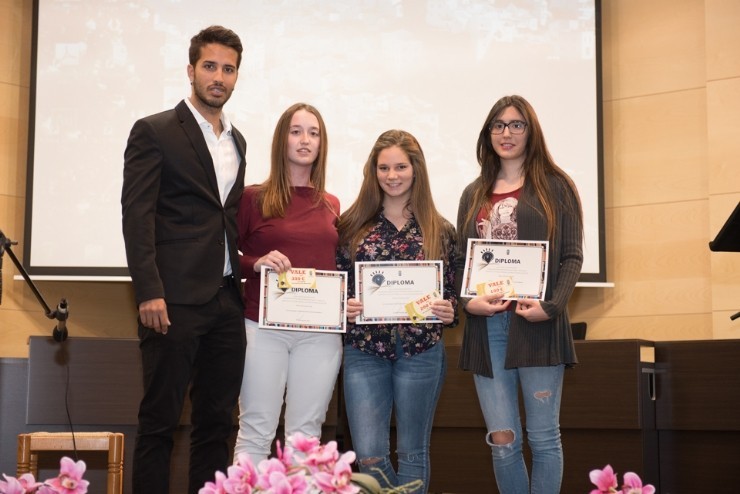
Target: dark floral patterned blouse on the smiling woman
[{"x": 384, "y": 242}]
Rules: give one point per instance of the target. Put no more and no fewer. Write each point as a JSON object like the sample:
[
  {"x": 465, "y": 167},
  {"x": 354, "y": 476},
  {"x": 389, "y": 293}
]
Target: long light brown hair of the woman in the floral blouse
[{"x": 357, "y": 220}]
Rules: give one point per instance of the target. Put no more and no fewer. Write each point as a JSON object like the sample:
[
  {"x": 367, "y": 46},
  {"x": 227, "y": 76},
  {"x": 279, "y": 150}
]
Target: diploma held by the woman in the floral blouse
[{"x": 385, "y": 288}]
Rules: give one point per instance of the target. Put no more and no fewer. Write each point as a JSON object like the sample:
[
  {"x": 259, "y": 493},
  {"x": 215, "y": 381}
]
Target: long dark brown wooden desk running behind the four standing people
[{"x": 682, "y": 412}]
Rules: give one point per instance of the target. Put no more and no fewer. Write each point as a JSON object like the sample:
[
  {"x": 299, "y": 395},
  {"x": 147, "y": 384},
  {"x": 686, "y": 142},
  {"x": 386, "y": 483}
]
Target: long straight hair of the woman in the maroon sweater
[{"x": 275, "y": 191}]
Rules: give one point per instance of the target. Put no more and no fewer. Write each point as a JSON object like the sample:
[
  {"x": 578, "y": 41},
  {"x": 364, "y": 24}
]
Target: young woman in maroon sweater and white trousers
[{"x": 289, "y": 220}]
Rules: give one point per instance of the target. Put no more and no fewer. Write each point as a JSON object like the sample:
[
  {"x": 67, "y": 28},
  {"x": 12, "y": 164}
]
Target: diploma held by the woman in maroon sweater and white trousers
[{"x": 303, "y": 299}]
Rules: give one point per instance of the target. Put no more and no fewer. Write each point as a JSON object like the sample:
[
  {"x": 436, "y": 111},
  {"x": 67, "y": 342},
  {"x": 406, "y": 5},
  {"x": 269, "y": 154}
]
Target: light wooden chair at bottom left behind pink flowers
[{"x": 30, "y": 444}]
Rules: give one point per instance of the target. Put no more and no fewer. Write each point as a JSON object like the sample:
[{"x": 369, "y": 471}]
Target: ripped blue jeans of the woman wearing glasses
[{"x": 541, "y": 391}]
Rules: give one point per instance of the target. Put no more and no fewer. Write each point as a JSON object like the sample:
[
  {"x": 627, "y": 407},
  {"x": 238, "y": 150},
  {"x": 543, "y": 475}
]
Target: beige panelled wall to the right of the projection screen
[{"x": 671, "y": 73}]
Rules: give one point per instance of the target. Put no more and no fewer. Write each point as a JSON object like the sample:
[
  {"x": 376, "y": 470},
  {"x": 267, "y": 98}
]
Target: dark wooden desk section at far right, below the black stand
[{"x": 698, "y": 415}]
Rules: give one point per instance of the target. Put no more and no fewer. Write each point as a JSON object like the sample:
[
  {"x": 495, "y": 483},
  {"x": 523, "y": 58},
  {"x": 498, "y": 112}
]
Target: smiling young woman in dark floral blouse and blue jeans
[{"x": 395, "y": 367}]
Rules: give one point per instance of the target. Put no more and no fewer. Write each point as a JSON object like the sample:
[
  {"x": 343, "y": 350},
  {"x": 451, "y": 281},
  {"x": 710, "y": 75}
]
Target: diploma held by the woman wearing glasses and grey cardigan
[{"x": 518, "y": 265}]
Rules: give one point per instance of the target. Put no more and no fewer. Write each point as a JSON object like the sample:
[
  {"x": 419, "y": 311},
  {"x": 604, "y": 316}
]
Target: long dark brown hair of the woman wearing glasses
[{"x": 538, "y": 165}]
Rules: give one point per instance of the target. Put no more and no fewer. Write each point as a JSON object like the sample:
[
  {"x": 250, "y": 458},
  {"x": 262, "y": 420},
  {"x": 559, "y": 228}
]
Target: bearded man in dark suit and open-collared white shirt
[{"x": 182, "y": 181}]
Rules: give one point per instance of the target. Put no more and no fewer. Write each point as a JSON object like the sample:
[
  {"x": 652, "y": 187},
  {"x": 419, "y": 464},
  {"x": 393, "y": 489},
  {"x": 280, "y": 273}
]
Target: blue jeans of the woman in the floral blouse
[{"x": 408, "y": 386}]
